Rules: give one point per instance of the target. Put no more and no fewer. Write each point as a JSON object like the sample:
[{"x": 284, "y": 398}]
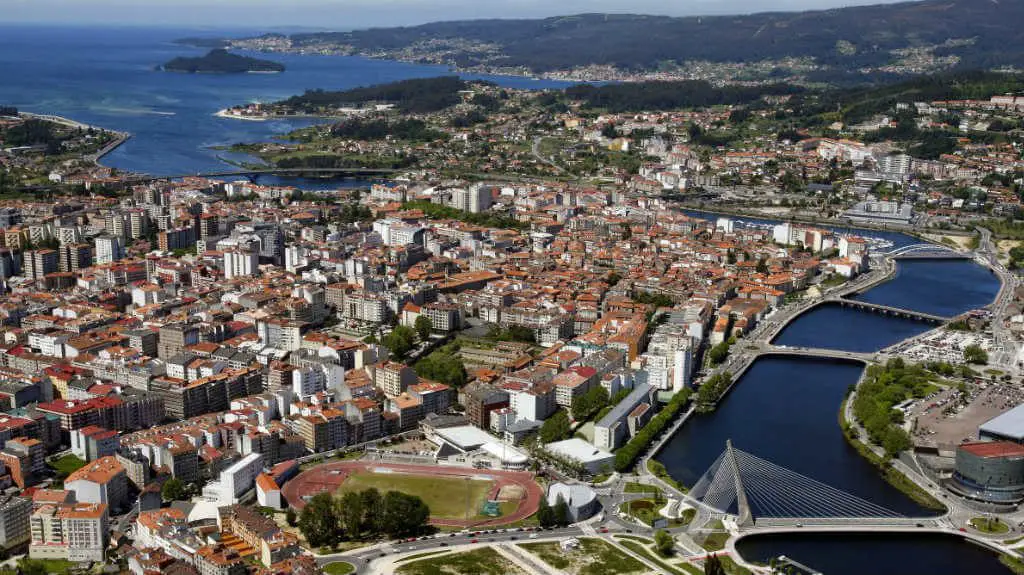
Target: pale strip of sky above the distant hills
[{"x": 344, "y": 15}]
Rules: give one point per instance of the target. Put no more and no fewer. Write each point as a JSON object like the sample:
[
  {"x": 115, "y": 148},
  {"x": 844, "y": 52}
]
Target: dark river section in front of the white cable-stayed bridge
[{"x": 876, "y": 554}]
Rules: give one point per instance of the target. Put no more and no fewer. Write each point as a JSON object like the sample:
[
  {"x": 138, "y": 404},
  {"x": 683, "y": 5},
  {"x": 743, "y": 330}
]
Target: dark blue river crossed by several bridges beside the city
[{"x": 786, "y": 411}]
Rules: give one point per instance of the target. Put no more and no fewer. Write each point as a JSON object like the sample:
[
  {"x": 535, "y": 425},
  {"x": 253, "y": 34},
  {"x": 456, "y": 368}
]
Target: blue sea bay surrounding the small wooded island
[{"x": 107, "y": 77}]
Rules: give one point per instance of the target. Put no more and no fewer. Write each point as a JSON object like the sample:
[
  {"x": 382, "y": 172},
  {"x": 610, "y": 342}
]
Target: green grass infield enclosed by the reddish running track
[{"x": 447, "y": 497}]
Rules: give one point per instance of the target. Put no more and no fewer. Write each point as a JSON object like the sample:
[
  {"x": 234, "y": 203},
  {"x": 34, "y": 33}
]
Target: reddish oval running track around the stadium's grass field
[{"x": 329, "y": 477}]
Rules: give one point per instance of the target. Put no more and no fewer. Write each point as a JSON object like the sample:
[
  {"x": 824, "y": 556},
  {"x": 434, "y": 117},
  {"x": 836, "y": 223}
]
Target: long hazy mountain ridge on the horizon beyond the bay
[{"x": 895, "y": 39}]
